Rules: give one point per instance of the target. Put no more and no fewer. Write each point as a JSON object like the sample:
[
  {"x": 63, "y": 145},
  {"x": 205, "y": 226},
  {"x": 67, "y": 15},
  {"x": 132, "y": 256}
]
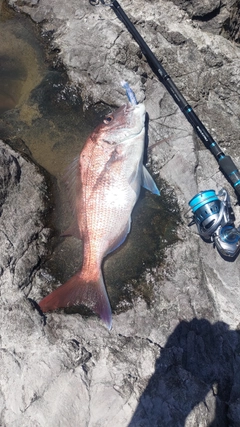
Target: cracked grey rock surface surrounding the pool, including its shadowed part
[{"x": 175, "y": 362}]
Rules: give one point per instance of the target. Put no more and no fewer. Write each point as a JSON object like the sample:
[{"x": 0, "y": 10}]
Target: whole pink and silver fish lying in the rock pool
[{"x": 108, "y": 176}]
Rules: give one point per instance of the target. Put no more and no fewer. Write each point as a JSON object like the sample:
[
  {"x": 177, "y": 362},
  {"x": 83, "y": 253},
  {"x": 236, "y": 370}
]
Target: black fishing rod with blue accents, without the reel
[{"x": 225, "y": 162}]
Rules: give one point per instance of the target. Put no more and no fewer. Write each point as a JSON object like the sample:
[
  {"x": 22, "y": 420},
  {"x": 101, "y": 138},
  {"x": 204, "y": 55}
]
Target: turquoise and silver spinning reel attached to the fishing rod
[{"x": 214, "y": 218}]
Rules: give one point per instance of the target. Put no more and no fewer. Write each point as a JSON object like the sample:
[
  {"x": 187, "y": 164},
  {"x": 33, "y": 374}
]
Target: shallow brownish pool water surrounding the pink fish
[{"x": 38, "y": 106}]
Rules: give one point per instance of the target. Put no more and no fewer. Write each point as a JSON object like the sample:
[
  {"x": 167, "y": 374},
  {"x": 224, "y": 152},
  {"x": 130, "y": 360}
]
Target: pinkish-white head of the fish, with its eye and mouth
[{"x": 122, "y": 125}]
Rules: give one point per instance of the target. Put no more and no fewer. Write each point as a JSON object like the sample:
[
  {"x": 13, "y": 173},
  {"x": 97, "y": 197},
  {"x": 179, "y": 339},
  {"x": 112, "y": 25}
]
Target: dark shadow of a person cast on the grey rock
[{"x": 196, "y": 379}]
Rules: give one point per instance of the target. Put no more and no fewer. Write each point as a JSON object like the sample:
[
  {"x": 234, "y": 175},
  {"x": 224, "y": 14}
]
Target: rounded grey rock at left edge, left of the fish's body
[{"x": 23, "y": 206}]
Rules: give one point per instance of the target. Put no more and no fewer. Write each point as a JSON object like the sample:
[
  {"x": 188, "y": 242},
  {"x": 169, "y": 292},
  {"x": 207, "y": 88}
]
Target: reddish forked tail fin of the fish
[{"x": 78, "y": 291}]
